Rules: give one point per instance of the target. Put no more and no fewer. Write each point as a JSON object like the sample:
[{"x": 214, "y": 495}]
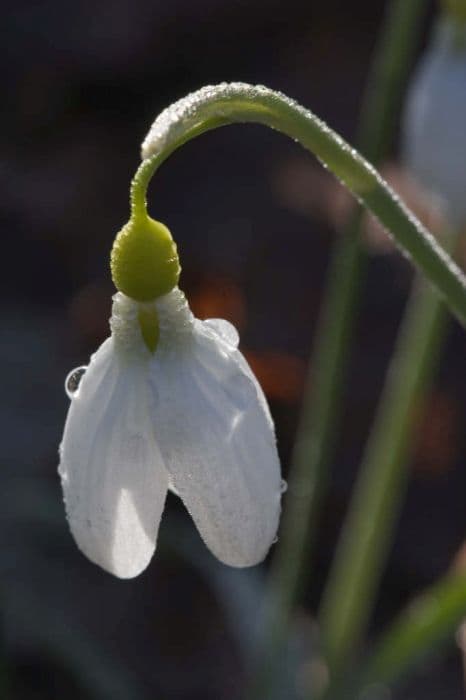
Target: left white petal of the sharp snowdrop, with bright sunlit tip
[{"x": 112, "y": 472}]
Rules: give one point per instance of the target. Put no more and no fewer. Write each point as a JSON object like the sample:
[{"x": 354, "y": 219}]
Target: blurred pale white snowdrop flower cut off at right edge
[{"x": 435, "y": 115}]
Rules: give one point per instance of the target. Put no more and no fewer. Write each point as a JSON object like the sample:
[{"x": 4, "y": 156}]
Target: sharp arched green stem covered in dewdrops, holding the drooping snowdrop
[{"x": 224, "y": 104}]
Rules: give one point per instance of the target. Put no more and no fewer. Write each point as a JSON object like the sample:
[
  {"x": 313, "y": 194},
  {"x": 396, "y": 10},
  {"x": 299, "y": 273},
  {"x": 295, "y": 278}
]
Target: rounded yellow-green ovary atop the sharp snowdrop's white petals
[{"x": 144, "y": 259}]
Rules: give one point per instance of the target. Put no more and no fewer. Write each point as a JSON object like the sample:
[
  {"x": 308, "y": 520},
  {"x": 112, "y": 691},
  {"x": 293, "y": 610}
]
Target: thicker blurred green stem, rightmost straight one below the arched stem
[{"x": 380, "y": 487}]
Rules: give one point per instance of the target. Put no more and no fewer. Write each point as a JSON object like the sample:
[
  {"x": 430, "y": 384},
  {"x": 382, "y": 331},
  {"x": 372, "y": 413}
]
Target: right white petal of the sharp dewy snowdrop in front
[{"x": 218, "y": 444}]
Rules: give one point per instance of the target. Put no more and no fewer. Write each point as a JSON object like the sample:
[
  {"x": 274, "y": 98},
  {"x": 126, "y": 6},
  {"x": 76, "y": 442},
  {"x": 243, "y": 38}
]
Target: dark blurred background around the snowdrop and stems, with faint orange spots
[{"x": 251, "y": 213}]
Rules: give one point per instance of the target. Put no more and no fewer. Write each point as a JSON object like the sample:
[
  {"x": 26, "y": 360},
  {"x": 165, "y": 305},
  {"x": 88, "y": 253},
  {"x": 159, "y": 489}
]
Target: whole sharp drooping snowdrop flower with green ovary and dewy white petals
[{"x": 167, "y": 402}]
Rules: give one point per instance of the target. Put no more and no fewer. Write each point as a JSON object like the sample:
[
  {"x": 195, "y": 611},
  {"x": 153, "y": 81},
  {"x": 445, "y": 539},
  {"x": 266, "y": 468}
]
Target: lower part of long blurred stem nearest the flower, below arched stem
[{"x": 312, "y": 453}]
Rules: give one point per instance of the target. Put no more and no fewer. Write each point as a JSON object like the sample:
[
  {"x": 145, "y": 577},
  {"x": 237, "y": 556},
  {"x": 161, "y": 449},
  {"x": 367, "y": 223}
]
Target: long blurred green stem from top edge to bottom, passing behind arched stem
[{"x": 315, "y": 440}]
